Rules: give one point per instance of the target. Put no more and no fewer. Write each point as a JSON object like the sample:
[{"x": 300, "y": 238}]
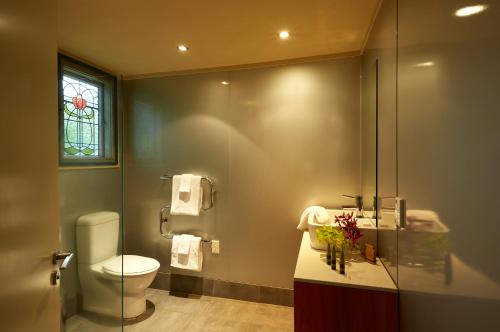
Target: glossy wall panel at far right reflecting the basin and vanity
[{"x": 448, "y": 162}]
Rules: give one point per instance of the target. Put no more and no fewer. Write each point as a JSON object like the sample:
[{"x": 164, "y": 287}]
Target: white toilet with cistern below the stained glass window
[{"x": 100, "y": 268}]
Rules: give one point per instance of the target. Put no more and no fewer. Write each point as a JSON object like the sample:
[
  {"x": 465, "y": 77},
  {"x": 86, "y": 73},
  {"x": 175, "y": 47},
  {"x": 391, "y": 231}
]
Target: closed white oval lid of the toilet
[{"x": 132, "y": 265}]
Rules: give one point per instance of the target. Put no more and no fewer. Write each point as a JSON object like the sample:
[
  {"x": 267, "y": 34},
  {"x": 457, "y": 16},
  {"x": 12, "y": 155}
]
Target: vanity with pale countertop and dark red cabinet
[{"x": 364, "y": 299}]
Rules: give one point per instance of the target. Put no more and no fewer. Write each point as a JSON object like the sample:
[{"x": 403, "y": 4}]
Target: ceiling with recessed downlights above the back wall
[{"x": 132, "y": 37}]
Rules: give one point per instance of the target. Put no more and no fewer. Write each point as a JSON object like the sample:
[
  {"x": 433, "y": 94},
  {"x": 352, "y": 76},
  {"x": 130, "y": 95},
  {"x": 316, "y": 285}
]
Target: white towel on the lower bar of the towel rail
[{"x": 193, "y": 260}]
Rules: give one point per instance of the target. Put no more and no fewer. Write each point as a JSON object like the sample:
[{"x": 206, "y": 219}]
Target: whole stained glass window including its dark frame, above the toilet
[{"x": 88, "y": 132}]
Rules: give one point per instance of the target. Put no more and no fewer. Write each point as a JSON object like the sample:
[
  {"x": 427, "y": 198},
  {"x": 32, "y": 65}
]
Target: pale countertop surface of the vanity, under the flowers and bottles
[{"x": 311, "y": 268}]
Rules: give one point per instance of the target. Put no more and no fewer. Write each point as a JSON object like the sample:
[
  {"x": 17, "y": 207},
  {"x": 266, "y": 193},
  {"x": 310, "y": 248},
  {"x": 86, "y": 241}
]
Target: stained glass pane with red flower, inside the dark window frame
[{"x": 82, "y": 117}]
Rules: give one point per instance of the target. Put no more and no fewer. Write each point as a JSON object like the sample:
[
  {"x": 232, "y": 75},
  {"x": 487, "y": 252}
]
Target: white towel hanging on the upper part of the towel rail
[{"x": 186, "y": 203}]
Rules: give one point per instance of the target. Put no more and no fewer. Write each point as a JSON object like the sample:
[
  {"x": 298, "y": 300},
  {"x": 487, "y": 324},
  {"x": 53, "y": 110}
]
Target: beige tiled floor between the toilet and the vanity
[{"x": 196, "y": 313}]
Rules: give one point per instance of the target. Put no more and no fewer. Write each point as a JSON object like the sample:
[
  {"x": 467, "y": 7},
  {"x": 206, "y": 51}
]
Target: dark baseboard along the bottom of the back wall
[{"x": 177, "y": 283}]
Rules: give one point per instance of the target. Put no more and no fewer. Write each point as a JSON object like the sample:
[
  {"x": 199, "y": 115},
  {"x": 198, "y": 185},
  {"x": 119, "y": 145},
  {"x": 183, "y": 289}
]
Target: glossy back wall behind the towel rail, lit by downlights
[{"x": 276, "y": 140}]
